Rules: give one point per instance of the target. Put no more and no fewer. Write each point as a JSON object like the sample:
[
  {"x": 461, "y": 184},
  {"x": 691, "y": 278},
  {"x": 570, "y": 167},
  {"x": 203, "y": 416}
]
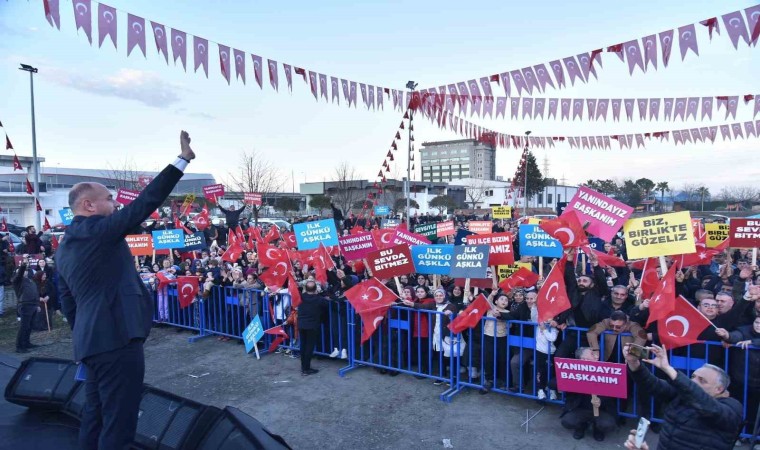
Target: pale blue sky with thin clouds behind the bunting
[{"x": 96, "y": 106}]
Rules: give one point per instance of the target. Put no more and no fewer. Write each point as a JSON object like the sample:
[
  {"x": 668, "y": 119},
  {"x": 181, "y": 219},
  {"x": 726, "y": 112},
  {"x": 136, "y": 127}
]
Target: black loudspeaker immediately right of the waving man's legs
[{"x": 167, "y": 421}]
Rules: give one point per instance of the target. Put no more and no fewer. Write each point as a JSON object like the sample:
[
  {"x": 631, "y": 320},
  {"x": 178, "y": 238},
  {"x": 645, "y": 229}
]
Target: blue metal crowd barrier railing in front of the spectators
[{"x": 404, "y": 342}]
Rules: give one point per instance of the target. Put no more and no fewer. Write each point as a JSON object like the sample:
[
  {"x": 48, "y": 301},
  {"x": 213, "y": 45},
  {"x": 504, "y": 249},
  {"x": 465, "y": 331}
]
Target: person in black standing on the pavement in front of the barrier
[{"x": 310, "y": 313}]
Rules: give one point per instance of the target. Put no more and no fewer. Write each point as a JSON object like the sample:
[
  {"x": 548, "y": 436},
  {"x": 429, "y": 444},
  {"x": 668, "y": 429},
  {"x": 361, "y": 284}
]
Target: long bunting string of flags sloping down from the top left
[{"x": 136, "y": 26}]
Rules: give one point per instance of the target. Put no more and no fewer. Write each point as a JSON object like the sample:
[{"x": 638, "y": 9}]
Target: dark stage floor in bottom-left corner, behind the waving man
[{"x": 21, "y": 428}]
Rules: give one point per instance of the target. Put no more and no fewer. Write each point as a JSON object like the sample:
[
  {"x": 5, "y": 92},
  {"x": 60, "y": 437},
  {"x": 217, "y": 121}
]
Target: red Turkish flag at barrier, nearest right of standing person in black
[{"x": 371, "y": 299}]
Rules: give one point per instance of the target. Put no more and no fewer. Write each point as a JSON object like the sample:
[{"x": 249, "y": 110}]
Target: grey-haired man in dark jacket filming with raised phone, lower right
[{"x": 700, "y": 413}]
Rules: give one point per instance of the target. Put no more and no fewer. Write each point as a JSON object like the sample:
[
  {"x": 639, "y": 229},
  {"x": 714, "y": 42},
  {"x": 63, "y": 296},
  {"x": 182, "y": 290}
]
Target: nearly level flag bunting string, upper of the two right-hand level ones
[{"x": 600, "y": 109}]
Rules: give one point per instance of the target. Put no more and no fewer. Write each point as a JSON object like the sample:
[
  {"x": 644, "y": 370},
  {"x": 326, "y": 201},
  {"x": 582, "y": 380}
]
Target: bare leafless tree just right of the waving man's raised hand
[{"x": 255, "y": 174}]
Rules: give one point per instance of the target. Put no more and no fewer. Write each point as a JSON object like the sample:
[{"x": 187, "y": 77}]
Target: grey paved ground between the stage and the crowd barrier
[{"x": 362, "y": 410}]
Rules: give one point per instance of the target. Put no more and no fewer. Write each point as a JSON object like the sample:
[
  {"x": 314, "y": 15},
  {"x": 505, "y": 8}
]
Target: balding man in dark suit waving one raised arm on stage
[{"x": 106, "y": 303}]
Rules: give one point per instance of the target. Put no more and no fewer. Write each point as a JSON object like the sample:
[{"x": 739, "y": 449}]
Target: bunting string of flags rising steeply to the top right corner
[{"x": 641, "y": 53}]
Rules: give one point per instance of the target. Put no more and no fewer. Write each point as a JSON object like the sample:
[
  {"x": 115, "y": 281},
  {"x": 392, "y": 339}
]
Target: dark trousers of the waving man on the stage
[{"x": 116, "y": 379}]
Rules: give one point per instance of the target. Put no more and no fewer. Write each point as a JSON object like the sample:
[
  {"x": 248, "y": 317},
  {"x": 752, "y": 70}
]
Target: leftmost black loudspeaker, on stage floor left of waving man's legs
[{"x": 42, "y": 383}]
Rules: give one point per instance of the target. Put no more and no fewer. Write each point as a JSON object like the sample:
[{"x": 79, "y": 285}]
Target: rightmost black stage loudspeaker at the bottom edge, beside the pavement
[{"x": 235, "y": 430}]
